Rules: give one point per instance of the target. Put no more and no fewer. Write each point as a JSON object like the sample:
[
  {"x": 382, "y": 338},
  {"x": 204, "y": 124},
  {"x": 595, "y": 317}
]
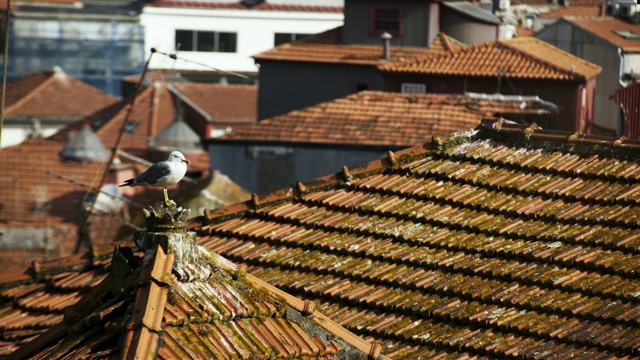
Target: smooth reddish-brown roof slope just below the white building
[{"x": 222, "y": 102}]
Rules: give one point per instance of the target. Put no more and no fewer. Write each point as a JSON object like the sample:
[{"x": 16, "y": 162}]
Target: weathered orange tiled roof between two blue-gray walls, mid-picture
[{"x": 375, "y": 118}]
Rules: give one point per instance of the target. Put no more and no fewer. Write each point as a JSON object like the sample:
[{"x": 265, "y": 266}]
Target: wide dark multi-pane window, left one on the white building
[{"x": 205, "y": 41}]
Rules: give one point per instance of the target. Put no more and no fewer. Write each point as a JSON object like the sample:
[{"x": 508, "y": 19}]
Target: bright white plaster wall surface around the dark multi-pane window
[{"x": 255, "y": 29}]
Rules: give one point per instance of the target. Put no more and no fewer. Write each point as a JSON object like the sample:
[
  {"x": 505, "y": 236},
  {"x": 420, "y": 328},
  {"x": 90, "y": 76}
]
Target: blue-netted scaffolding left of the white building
[{"x": 97, "y": 51}]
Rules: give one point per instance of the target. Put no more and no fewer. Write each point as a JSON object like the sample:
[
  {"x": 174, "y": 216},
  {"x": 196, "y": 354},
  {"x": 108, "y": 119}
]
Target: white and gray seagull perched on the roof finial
[{"x": 162, "y": 174}]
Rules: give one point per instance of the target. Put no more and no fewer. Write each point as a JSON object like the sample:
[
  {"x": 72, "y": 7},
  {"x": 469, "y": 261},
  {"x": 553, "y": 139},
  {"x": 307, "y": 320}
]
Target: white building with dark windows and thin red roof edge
[{"x": 224, "y": 34}]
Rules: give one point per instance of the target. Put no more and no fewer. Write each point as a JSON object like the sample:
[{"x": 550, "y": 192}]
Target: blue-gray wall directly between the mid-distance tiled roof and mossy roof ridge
[{"x": 263, "y": 169}]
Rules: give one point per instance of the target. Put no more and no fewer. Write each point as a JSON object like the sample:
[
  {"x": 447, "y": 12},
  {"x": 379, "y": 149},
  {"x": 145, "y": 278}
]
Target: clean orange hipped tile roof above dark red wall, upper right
[{"x": 523, "y": 57}]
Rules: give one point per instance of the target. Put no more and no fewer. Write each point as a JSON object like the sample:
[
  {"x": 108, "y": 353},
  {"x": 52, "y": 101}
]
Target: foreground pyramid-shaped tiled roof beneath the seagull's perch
[{"x": 179, "y": 301}]
